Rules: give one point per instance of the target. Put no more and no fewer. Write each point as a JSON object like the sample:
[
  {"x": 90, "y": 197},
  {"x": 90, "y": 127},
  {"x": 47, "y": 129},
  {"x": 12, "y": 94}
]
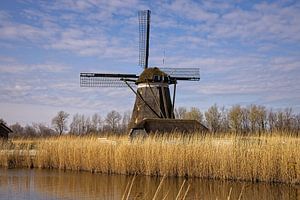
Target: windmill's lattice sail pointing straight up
[{"x": 144, "y": 31}]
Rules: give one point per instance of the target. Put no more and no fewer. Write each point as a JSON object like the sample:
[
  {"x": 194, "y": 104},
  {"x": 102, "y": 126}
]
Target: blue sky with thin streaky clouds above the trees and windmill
[{"x": 248, "y": 53}]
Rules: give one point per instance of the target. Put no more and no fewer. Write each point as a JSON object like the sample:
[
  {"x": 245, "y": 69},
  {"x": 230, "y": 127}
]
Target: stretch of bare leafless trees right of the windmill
[{"x": 244, "y": 120}]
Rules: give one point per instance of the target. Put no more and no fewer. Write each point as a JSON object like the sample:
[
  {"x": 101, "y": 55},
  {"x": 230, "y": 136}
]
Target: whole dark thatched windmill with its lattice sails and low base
[{"x": 154, "y": 108}]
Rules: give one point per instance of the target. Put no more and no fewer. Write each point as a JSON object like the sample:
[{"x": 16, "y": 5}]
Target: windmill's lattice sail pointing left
[{"x": 107, "y": 80}]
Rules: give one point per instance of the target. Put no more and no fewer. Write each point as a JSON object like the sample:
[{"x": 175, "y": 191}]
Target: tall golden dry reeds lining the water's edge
[{"x": 265, "y": 158}]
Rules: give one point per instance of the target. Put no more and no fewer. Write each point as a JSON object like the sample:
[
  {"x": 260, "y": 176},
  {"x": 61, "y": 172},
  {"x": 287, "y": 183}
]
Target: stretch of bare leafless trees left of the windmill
[{"x": 79, "y": 124}]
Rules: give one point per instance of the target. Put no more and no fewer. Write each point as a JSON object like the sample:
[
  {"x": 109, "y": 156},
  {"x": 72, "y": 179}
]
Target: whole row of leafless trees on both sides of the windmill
[{"x": 251, "y": 119}]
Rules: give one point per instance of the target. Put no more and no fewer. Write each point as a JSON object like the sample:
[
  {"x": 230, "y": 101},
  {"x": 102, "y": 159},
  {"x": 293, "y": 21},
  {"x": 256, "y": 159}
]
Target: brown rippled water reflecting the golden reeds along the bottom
[{"x": 53, "y": 184}]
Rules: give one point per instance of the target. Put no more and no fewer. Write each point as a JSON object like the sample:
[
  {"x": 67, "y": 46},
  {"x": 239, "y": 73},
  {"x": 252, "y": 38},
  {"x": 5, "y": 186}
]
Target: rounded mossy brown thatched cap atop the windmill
[{"x": 153, "y": 75}]
